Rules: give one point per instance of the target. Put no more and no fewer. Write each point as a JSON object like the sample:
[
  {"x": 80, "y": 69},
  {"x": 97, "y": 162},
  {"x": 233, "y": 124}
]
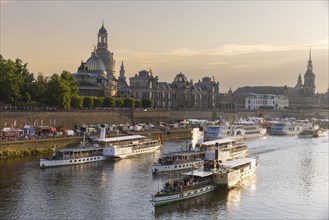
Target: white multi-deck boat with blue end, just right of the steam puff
[{"x": 239, "y": 130}]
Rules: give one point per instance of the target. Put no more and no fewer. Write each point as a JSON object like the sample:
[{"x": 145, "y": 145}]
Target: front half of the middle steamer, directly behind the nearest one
[{"x": 177, "y": 161}]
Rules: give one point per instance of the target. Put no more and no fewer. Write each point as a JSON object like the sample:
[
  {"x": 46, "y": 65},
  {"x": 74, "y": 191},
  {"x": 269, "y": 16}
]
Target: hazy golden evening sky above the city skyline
[{"x": 240, "y": 43}]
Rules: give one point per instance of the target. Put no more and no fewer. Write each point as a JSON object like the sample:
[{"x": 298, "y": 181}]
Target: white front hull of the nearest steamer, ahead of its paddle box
[{"x": 161, "y": 200}]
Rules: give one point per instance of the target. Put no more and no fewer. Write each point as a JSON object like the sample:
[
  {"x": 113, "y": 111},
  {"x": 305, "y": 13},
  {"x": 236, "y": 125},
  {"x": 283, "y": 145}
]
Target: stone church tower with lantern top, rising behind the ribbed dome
[{"x": 104, "y": 54}]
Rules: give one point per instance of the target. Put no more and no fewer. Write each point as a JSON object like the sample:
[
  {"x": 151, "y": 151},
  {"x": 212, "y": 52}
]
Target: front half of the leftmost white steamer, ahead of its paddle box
[{"x": 70, "y": 156}]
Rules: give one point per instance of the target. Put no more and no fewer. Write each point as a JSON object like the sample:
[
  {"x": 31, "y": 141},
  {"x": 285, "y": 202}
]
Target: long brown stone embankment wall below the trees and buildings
[{"x": 70, "y": 118}]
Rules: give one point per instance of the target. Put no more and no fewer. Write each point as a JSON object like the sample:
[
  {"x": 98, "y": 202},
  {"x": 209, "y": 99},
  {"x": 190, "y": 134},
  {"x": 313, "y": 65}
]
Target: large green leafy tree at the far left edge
[{"x": 10, "y": 81}]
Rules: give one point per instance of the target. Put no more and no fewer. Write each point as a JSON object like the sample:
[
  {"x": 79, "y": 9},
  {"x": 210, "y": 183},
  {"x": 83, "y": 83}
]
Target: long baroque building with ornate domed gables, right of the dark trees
[{"x": 180, "y": 94}]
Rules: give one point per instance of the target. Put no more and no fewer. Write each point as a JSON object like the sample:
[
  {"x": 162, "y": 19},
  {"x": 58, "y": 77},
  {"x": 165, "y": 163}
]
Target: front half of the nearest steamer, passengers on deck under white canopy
[{"x": 195, "y": 183}]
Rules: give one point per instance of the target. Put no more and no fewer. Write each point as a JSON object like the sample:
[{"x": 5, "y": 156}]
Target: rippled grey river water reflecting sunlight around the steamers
[{"x": 291, "y": 182}]
